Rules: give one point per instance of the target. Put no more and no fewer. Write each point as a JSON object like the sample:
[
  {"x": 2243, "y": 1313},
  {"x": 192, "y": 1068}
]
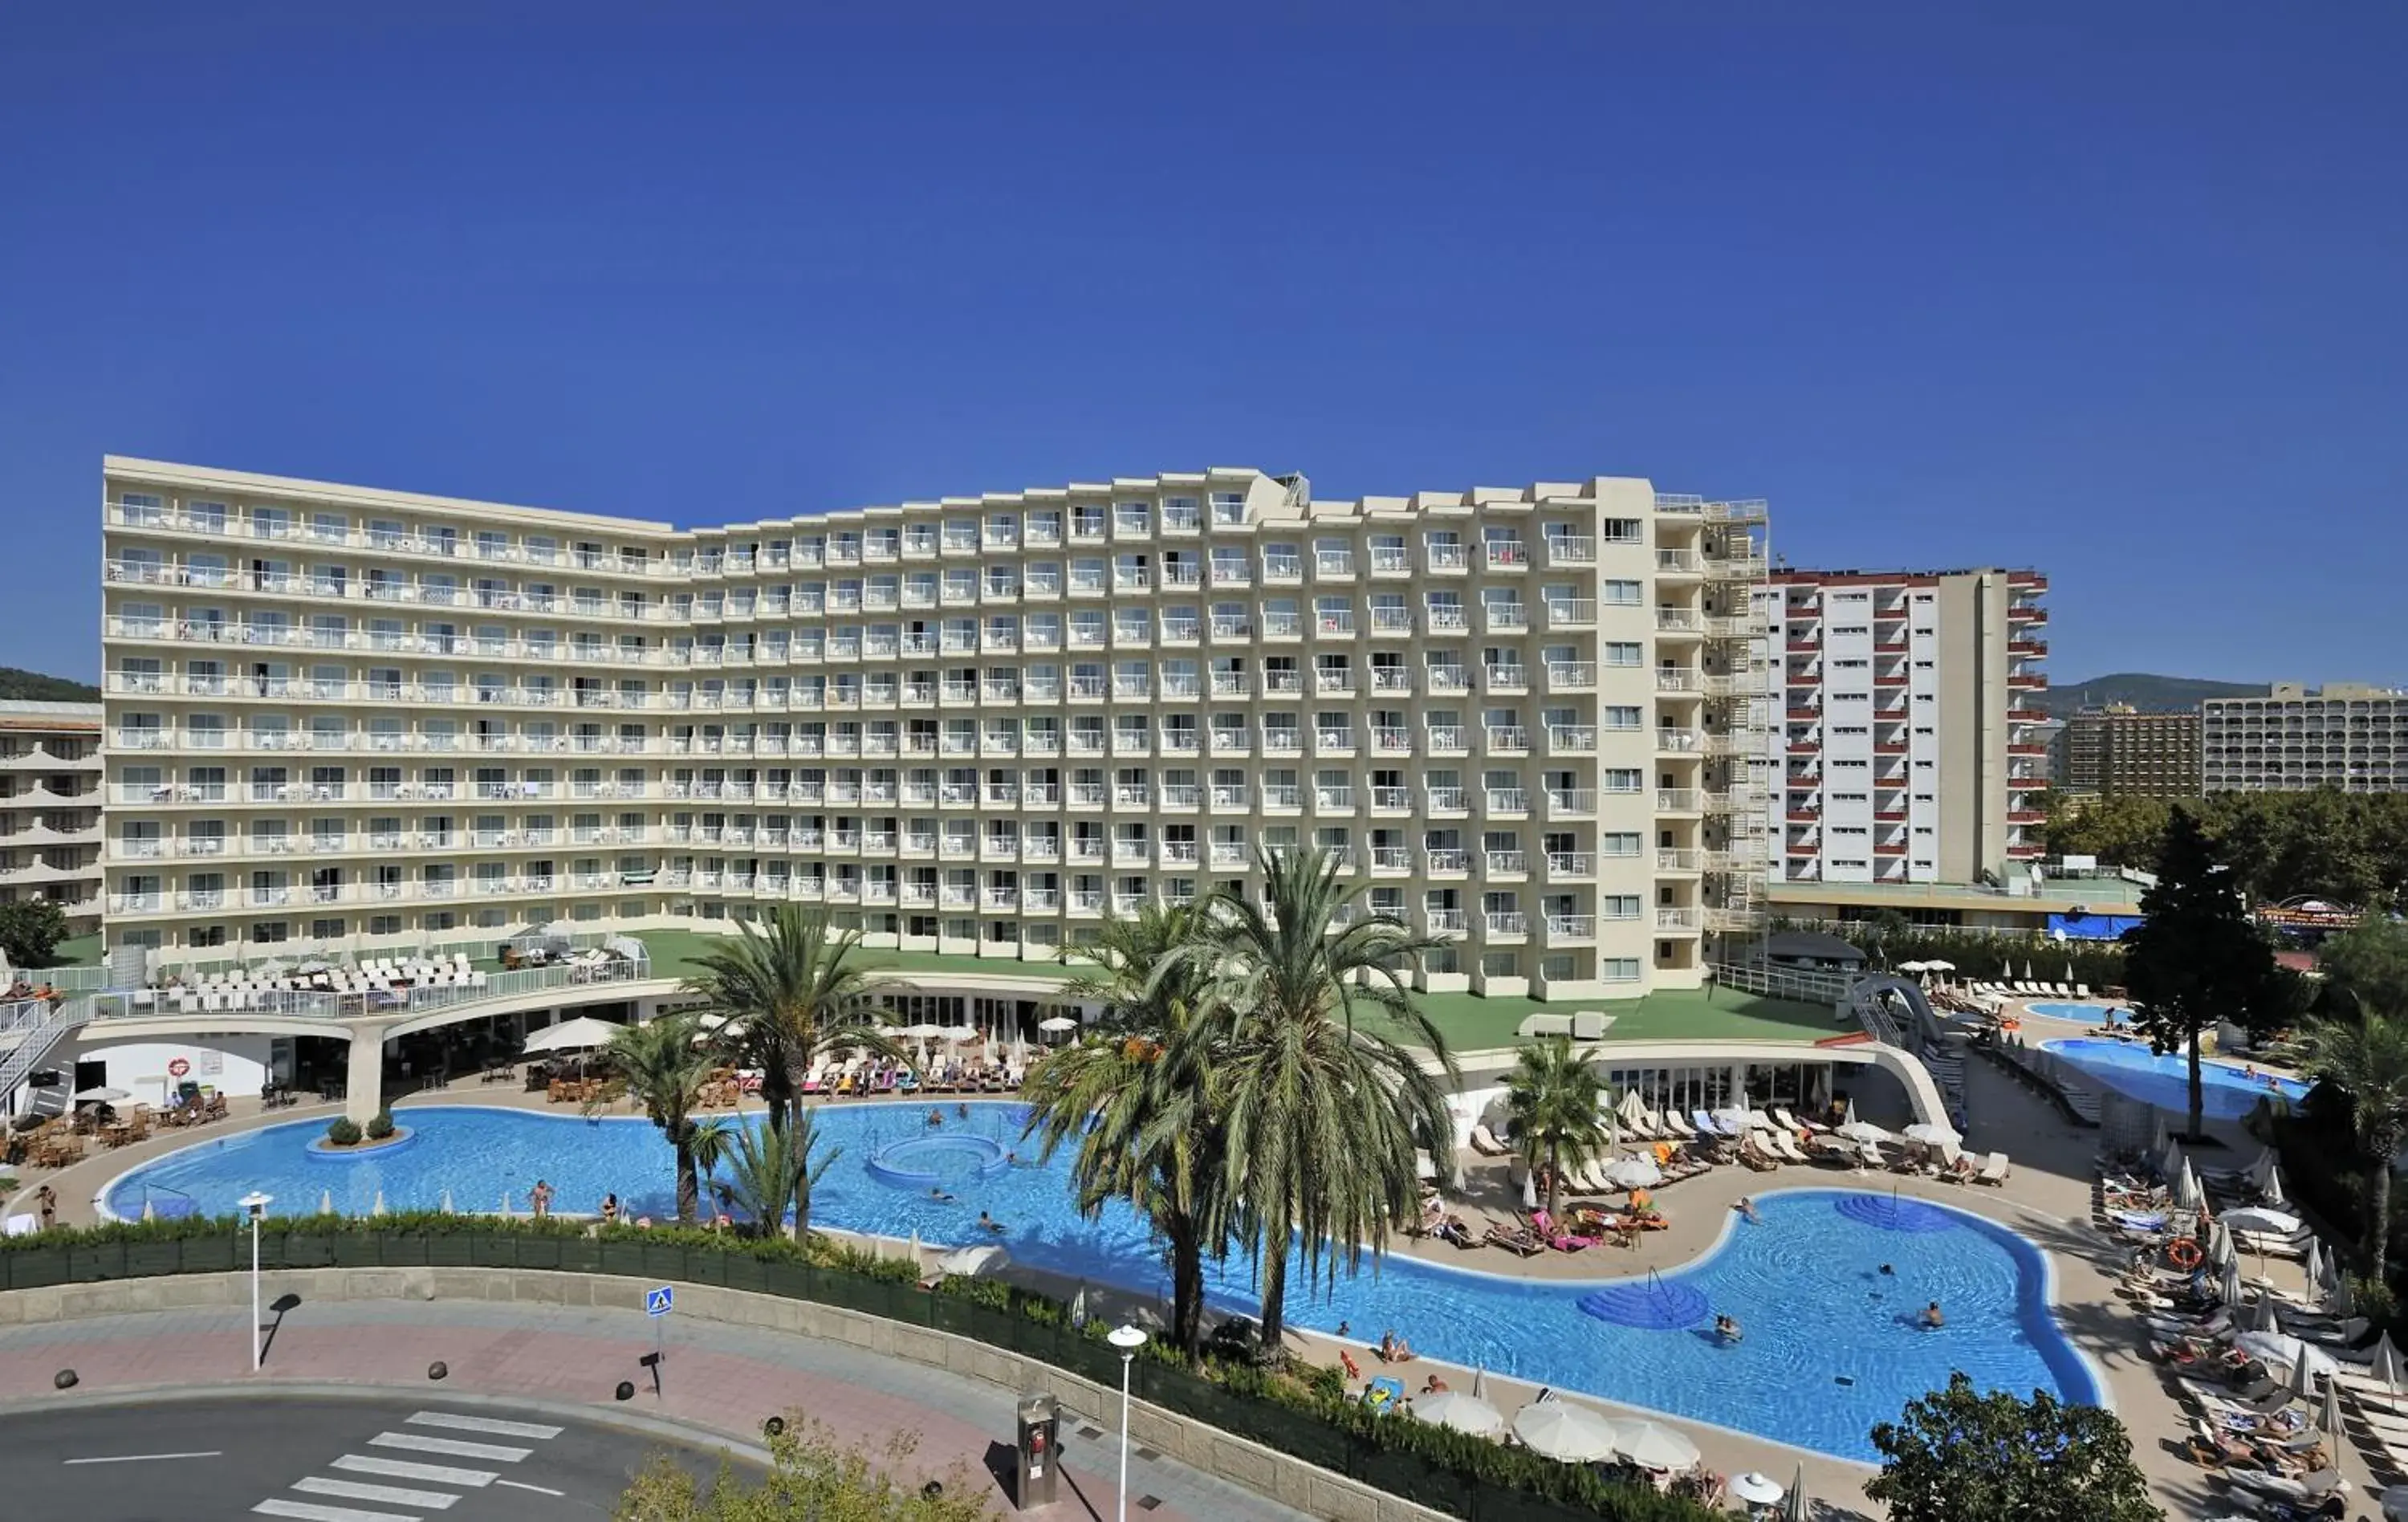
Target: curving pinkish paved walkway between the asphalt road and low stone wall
[{"x": 716, "y": 1379}]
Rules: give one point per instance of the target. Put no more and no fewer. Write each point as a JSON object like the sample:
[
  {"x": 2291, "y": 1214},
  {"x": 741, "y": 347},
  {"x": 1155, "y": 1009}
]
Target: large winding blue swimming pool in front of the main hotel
[{"x": 1831, "y": 1345}]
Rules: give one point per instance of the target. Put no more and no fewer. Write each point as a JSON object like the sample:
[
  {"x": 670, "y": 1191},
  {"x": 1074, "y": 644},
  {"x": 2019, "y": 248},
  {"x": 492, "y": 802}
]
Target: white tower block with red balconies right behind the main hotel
[{"x": 1904, "y": 736}]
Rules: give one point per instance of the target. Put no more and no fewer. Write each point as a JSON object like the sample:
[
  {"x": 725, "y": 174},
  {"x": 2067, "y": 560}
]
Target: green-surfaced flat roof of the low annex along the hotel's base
[{"x": 1470, "y": 1022}]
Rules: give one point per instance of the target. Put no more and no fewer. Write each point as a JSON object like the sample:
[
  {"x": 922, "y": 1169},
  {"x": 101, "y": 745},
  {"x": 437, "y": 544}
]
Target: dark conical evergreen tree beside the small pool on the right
[{"x": 2197, "y": 957}]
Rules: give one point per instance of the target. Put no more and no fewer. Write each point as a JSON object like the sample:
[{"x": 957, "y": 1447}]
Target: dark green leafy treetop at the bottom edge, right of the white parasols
[{"x": 1959, "y": 1456}]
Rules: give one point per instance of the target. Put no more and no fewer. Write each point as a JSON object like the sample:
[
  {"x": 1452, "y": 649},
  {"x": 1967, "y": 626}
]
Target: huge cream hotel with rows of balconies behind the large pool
[{"x": 358, "y": 719}]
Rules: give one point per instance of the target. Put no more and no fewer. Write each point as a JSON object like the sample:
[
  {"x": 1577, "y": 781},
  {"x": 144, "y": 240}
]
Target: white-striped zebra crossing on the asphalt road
[{"x": 418, "y": 1470}]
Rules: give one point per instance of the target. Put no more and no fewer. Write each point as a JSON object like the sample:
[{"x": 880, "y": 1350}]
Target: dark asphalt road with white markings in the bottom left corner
[{"x": 319, "y": 1461}]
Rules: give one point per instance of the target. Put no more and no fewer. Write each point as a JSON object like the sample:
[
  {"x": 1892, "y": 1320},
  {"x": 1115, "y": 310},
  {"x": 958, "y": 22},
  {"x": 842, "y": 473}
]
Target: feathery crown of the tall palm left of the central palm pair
[{"x": 789, "y": 998}]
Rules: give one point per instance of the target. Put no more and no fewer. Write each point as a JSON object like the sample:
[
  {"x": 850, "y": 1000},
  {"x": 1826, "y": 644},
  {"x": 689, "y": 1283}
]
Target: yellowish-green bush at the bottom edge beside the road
[{"x": 813, "y": 1475}]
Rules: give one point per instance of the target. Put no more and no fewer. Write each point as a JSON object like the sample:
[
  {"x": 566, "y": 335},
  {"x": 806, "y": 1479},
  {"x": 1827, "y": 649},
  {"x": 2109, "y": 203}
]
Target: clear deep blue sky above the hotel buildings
[{"x": 2106, "y": 290}]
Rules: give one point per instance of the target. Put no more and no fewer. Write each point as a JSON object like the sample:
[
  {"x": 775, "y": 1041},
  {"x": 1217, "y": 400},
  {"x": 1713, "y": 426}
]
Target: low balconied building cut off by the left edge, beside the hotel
[{"x": 52, "y": 808}]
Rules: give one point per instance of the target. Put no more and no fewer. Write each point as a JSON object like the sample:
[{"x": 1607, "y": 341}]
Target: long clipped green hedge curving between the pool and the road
[{"x": 1304, "y": 1417}]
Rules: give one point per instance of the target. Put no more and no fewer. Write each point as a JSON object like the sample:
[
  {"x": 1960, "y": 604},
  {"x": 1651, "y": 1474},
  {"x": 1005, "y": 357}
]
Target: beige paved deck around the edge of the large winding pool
[{"x": 2048, "y": 1201}]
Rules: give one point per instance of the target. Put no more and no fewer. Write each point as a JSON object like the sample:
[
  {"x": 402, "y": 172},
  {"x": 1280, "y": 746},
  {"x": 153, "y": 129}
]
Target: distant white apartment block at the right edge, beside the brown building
[{"x": 2296, "y": 741}]
